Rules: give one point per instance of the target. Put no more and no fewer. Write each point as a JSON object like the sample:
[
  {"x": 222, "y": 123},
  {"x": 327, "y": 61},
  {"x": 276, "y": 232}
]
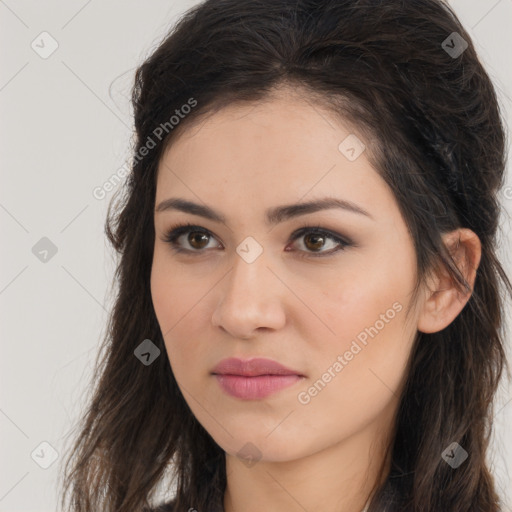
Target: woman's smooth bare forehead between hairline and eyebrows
[{"x": 274, "y": 152}]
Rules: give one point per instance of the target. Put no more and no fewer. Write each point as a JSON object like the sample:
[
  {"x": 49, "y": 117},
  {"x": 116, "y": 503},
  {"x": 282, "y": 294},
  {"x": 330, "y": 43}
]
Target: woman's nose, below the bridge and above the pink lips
[{"x": 252, "y": 300}]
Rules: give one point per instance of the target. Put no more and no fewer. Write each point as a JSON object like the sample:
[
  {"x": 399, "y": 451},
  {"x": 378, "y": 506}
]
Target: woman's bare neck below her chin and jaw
[{"x": 340, "y": 477}]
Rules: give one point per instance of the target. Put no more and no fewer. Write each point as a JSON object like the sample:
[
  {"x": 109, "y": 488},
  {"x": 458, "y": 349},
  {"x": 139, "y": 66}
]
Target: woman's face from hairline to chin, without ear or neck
[{"x": 322, "y": 292}]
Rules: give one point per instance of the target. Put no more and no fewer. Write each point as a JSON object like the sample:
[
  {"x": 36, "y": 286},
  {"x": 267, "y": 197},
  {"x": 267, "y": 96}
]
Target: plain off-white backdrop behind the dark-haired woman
[{"x": 66, "y": 127}]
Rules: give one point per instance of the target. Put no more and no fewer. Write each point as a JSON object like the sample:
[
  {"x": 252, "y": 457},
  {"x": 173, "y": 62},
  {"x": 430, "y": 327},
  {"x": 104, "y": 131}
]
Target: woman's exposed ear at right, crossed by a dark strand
[{"x": 443, "y": 301}]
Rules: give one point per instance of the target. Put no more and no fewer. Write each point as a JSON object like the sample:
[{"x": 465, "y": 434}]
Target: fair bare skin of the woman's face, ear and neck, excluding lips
[{"x": 303, "y": 312}]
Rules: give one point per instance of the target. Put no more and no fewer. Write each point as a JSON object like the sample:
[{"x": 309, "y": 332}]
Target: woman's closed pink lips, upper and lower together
[{"x": 255, "y": 378}]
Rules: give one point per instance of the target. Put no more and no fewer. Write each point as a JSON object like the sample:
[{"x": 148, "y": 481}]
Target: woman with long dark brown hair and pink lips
[{"x": 310, "y": 301}]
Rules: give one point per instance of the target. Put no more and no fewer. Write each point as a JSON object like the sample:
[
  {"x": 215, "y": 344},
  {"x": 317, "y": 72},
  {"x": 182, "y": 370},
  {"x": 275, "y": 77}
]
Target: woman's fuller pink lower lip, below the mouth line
[{"x": 253, "y": 388}]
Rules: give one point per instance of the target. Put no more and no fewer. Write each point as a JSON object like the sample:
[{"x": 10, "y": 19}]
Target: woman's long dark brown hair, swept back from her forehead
[{"x": 434, "y": 132}]
